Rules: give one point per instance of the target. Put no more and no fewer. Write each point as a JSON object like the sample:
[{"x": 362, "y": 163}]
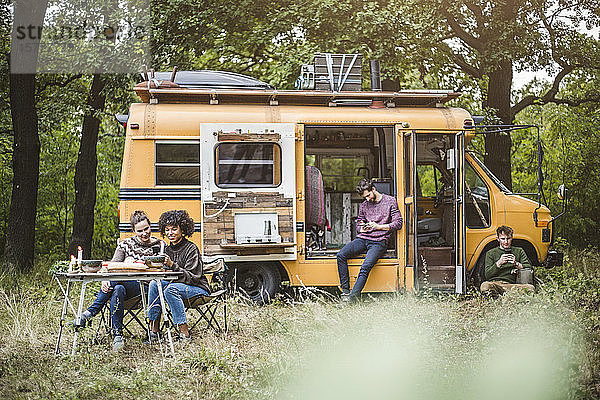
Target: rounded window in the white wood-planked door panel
[{"x": 247, "y": 164}]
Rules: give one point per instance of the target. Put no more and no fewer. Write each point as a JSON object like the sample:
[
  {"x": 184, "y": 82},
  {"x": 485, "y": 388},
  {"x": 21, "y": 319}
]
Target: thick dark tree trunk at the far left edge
[{"x": 20, "y": 231}]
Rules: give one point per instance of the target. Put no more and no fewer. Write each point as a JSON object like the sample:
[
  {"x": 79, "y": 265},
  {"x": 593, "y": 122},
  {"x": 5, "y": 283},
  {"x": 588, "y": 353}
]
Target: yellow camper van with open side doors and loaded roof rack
[{"x": 269, "y": 178}]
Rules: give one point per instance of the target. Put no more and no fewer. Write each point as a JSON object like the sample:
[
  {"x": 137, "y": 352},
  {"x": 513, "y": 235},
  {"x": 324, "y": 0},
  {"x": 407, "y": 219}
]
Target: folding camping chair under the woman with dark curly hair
[{"x": 208, "y": 307}]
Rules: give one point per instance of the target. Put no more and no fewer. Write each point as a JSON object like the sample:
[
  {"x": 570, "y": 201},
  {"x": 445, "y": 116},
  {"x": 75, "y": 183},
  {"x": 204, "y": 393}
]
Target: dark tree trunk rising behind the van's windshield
[{"x": 497, "y": 145}]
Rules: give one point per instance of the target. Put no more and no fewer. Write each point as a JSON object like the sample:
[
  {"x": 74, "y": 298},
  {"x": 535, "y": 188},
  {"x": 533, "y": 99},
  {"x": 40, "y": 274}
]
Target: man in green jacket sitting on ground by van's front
[{"x": 501, "y": 263}]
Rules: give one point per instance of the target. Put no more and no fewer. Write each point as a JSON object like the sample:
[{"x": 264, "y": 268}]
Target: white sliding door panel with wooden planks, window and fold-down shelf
[{"x": 248, "y": 191}]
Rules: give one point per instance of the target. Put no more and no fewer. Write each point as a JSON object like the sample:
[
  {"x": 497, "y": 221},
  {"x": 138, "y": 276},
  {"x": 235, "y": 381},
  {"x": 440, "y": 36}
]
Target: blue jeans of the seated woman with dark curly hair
[{"x": 174, "y": 295}]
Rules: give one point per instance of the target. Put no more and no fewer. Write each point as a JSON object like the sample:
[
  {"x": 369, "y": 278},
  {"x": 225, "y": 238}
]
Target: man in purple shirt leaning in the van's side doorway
[{"x": 378, "y": 217}]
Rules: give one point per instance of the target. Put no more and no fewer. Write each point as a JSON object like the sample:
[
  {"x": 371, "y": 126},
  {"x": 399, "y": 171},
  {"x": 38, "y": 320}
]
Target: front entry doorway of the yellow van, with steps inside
[{"x": 429, "y": 263}]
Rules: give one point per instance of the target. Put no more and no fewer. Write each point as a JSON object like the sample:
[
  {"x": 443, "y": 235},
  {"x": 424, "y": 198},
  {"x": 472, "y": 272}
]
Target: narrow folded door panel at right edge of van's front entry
[{"x": 459, "y": 215}]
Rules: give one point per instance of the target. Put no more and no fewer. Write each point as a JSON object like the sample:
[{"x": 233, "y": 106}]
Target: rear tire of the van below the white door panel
[{"x": 260, "y": 282}]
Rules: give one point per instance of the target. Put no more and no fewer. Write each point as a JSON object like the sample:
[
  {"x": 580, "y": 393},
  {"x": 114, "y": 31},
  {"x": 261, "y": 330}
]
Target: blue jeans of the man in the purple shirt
[{"x": 374, "y": 249}]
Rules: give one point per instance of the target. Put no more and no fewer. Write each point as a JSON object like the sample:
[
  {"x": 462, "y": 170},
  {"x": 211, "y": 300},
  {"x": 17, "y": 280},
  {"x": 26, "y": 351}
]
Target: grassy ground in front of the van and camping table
[{"x": 390, "y": 346}]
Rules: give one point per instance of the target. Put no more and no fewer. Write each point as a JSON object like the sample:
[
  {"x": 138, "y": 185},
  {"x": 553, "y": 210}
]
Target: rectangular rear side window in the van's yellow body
[{"x": 177, "y": 163}]
